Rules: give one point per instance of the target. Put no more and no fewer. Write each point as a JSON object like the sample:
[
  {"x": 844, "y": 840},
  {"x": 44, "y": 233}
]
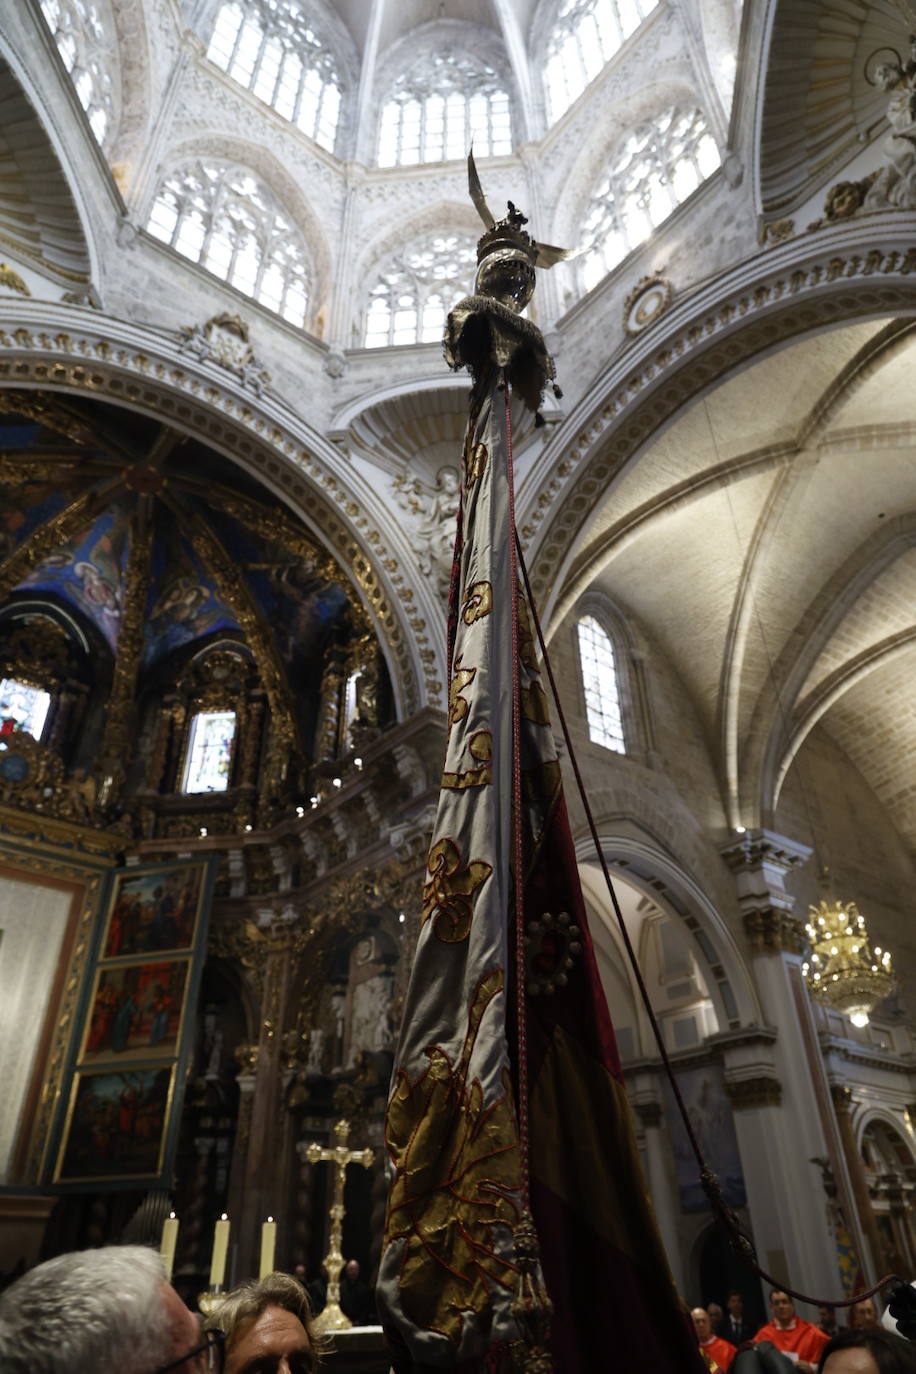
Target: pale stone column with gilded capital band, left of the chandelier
[{"x": 783, "y": 1114}]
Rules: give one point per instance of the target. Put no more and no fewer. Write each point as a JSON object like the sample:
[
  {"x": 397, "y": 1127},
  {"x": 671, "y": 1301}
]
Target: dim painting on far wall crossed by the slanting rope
[{"x": 711, "y": 1116}]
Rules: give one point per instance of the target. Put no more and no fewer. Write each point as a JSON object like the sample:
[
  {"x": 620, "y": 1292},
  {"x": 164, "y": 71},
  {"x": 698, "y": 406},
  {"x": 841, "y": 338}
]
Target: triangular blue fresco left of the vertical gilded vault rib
[{"x": 89, "y": 572}]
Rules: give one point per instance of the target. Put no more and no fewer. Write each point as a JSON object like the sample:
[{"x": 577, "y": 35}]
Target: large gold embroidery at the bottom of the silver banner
[{"x": 457, "y": 1178}]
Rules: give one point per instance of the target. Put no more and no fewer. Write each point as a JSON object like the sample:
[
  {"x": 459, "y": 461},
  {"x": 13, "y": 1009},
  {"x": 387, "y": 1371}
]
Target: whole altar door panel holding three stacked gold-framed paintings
[{"x": 122, "y": 1096}]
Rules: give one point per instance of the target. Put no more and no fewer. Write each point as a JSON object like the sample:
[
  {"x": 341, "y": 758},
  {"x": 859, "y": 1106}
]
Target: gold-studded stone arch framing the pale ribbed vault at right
[{"x": 807, "y": 288}]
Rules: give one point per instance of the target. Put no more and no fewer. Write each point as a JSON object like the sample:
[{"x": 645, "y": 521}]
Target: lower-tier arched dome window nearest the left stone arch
[{"x": 229, "y": 222}]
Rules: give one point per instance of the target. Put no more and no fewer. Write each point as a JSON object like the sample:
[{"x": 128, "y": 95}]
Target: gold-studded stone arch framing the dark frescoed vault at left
[{"x": 303, "y": 469}]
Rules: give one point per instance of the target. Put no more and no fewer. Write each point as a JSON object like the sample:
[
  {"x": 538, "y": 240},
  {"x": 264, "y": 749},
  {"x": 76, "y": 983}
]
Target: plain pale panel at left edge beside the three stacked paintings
[{"x": 35, "y": 921}]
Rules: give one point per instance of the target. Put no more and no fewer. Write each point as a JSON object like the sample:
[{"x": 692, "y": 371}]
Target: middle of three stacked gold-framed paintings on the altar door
[{"x": 137, "y": 1011}]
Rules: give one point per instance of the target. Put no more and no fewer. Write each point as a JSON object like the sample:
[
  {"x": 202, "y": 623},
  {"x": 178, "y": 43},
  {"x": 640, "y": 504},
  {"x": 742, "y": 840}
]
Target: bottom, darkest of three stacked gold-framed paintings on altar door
[{"x": 117, "y": 1125}]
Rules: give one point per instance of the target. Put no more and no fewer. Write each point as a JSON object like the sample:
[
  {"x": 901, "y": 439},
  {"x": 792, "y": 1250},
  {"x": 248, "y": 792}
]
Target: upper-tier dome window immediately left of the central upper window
[{"x": 275, "y": 50}]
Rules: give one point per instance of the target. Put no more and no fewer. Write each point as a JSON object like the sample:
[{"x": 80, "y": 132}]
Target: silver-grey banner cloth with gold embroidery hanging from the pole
[{"x": 447, "y": 1276}]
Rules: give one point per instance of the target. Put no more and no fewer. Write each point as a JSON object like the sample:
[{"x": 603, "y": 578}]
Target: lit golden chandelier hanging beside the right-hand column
[{"x": 845, "y": 972}]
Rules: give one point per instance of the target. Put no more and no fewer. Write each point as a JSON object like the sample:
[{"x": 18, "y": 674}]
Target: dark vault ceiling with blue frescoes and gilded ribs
[{"x": 56, "y": 454}]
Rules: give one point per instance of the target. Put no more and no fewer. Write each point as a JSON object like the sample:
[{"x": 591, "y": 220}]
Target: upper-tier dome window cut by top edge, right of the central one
[{"x": 586, "y": 35}]
